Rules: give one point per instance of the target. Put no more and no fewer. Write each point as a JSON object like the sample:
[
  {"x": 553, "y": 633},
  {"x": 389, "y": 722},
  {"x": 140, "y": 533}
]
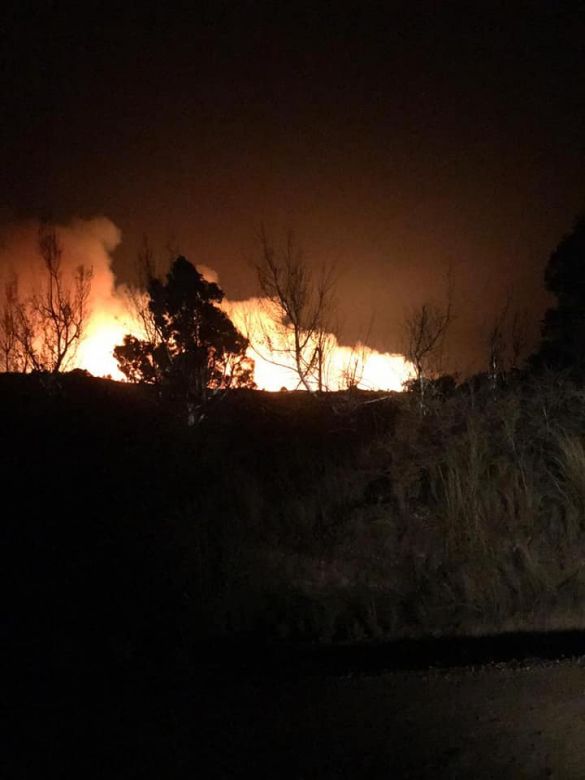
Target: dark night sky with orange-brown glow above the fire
[{"x": 394, "y": 138}]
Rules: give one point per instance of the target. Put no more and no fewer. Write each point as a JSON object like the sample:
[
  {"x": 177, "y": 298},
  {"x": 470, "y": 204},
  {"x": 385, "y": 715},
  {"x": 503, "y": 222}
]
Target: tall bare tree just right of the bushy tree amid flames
[{"x": 299, "y": 302}]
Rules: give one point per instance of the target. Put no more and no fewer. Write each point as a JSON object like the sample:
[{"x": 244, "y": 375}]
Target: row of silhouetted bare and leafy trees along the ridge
[{"x": 190, "y": 348}]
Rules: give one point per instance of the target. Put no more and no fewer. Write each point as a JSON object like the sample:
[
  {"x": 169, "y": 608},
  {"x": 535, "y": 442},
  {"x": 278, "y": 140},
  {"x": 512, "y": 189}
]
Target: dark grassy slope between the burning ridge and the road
[{"x": 290, "y": 519}]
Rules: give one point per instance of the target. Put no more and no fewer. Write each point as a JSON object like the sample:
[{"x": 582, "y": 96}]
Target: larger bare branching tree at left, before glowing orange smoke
[{"x": 51, "y": 323}]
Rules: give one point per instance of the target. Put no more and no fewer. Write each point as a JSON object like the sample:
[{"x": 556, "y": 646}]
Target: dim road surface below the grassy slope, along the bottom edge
[{"x": 381, "y": 712}]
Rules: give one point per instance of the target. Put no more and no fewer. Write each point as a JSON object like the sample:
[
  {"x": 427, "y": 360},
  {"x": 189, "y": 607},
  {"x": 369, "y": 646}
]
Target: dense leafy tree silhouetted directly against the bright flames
[{"x": 191, "y": 345}]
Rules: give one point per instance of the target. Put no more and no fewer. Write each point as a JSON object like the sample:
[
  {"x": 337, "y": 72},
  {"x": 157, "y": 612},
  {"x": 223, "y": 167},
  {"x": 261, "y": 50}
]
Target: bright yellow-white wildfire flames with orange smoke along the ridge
[{"x": 111, "y": 318}]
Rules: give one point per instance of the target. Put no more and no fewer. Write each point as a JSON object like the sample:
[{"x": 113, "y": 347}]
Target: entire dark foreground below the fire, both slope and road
[{"x": 132, "y": 538}]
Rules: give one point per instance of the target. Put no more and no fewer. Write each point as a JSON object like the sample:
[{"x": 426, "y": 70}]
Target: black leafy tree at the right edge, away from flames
[{"x": 563, "y": 328}]
